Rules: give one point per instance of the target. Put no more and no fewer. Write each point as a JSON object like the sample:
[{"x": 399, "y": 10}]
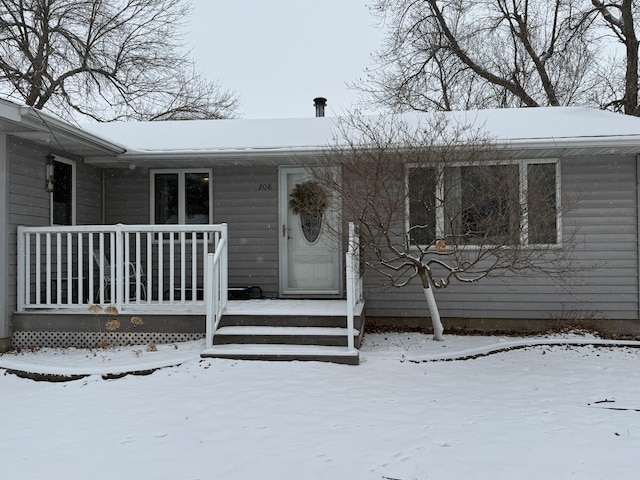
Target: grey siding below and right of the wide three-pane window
[{"x": 602, "y": 195}]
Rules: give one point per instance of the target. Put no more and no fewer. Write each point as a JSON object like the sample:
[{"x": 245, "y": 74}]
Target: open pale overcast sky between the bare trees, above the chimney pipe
[{"x": 277, "y": 55}]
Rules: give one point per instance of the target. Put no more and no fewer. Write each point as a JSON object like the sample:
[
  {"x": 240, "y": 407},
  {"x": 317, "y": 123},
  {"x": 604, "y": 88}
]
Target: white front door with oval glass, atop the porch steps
[{"x": 310, "y": 249}]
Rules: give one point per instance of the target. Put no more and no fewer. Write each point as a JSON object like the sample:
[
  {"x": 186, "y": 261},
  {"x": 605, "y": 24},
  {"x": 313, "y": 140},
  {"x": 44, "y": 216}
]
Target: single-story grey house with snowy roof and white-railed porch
[{"x": 127, "y": 214}]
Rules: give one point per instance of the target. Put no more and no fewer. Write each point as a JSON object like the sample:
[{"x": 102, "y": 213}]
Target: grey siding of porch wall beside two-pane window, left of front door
[{"x": 250, "y": 212}]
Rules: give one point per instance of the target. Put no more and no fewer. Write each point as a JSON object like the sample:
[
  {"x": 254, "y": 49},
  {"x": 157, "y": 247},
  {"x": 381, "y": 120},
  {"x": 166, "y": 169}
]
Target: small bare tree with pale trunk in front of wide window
[{"x": 439, "y": 202}]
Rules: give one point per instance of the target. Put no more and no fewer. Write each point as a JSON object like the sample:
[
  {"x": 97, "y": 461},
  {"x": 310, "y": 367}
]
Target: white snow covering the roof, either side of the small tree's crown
[{"x": 536, "y": 126}]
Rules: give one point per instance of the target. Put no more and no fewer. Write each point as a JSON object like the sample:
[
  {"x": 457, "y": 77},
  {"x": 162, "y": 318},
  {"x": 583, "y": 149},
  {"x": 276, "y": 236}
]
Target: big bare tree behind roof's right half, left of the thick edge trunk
[{"x": 457, "y": 54}]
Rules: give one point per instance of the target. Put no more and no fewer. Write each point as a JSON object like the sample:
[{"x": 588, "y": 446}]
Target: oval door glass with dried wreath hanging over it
[{"x": 309, "y": 200}]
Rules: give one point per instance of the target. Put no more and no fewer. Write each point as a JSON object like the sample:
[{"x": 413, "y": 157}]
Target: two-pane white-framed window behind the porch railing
[{"x": 181, "y": 197}]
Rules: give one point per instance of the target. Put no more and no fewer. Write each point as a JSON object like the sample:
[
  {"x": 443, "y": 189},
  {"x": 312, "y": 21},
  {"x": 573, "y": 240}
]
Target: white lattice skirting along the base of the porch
[{"x": 27, "y": 340}]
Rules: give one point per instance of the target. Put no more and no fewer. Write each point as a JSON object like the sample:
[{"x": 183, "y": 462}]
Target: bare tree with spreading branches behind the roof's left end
[{"x": 115, "y": 59}]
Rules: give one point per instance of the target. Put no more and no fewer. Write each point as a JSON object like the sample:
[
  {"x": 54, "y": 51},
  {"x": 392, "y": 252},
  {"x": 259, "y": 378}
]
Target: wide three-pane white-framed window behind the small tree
[{"x": 504, "y": 204}]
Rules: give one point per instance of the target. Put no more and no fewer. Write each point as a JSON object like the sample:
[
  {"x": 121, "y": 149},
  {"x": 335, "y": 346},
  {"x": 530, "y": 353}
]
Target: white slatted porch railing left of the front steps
[{"x": 121, "y": 265}]
